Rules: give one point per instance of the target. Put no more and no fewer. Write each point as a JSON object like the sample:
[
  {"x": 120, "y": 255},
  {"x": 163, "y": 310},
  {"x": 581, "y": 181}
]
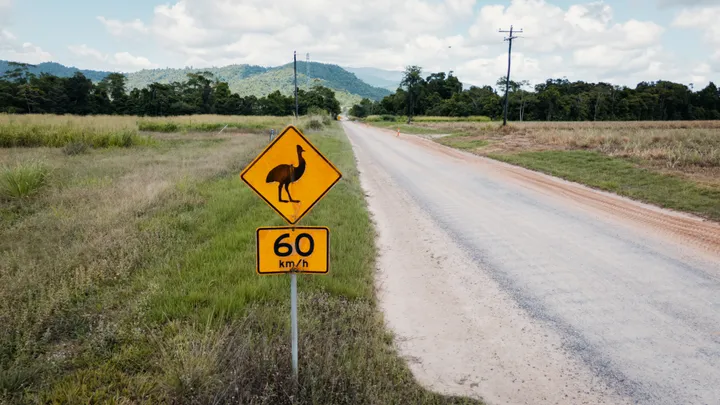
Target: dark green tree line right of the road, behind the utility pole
[{"x": 555, "y": 100}]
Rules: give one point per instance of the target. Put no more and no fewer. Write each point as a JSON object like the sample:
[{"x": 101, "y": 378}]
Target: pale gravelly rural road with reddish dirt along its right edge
[{"x": 518, "y": 288}]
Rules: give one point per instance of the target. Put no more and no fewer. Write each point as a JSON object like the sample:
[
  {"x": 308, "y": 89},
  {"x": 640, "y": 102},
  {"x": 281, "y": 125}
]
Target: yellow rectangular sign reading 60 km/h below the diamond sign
[{"x": 301, "y": 249}]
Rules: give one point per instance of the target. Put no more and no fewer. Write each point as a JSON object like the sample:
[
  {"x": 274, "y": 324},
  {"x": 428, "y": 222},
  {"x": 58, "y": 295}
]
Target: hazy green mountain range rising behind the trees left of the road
[{"x": 246, "y": 80}]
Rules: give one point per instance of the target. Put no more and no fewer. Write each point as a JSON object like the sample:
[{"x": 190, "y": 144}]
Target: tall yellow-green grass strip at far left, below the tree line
[{"x": 14, "y": 135}]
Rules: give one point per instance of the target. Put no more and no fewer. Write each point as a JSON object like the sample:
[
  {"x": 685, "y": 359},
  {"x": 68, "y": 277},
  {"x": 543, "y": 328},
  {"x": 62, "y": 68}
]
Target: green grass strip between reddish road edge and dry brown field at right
[{"x": 623, "y": 177}]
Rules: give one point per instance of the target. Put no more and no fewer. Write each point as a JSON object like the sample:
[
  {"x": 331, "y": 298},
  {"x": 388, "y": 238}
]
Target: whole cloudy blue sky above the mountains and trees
[{"x": 619, "y": 41}]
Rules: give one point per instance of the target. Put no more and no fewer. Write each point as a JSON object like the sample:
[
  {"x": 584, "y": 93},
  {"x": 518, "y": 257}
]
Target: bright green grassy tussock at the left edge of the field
[{"x": 22, "y": 181}]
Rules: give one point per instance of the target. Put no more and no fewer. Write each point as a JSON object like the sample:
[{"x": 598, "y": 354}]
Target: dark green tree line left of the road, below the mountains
[{"x": 22, "y": 92}]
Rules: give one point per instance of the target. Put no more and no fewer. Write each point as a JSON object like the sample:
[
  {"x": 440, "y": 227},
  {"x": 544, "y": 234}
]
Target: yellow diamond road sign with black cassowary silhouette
[{"x": 291, "y": 175}]
